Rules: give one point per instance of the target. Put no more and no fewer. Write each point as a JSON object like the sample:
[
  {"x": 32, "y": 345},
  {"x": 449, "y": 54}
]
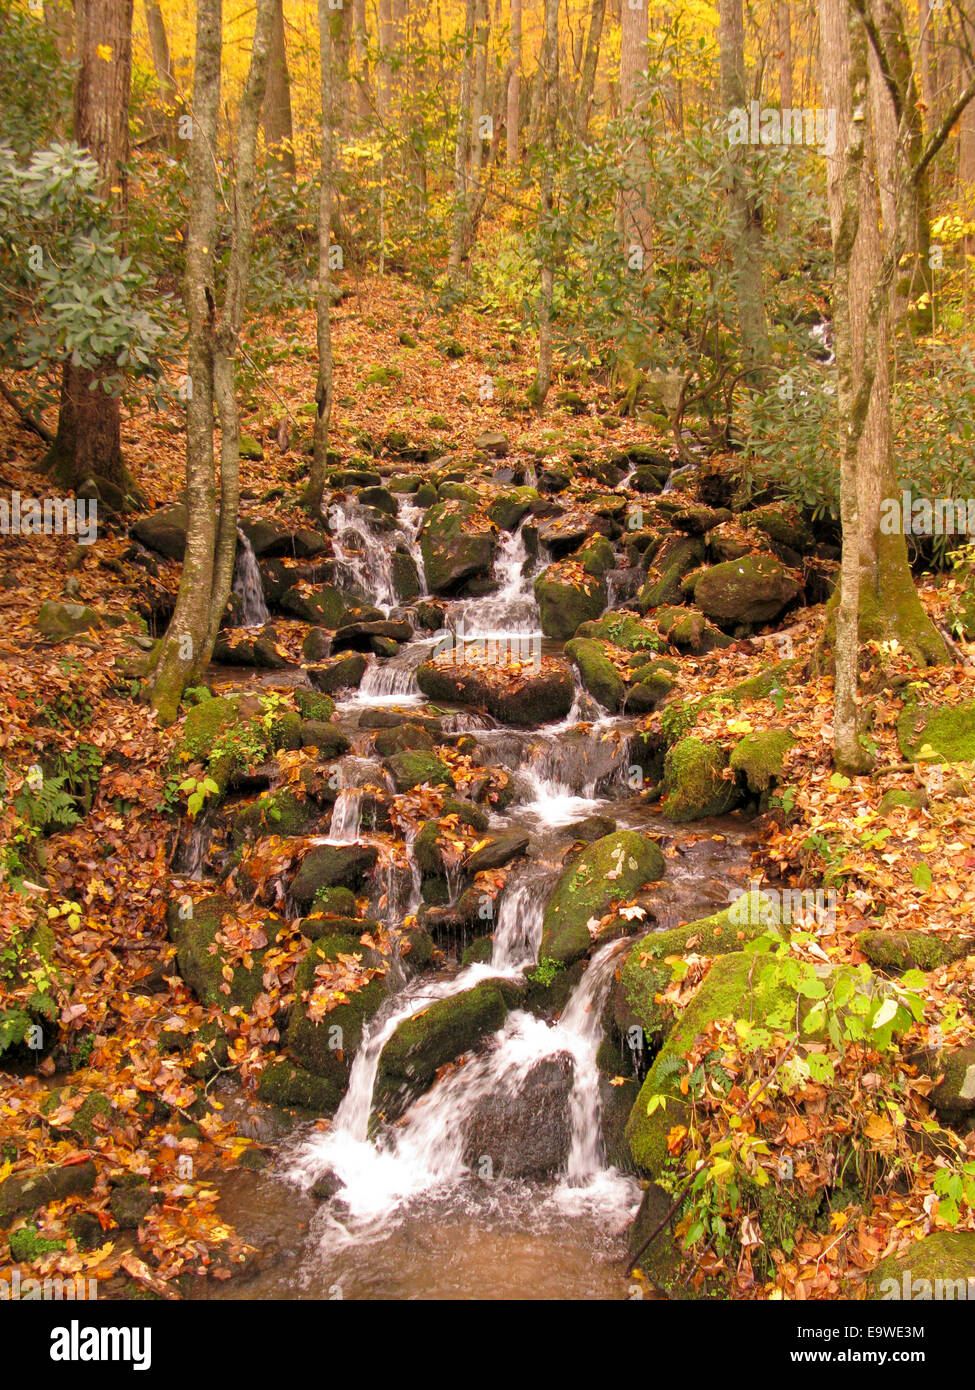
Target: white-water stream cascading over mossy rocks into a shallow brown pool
[{"x": 412, "y": 1210}]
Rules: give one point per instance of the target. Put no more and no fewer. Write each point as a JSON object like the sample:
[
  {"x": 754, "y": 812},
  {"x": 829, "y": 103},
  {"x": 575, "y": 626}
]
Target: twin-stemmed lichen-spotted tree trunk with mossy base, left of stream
[{"x": 213, "y": 334}]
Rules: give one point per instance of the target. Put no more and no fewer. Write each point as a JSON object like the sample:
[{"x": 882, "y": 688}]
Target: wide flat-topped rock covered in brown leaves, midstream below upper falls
[{"x": 532, "y": 694}]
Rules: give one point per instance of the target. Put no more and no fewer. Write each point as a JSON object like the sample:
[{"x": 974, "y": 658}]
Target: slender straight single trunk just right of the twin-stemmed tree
[{"x": 323, "y": 394}]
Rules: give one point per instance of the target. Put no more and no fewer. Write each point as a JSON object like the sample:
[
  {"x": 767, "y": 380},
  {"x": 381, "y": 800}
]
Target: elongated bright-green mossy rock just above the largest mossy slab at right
[{"x": 647, "y": 972}]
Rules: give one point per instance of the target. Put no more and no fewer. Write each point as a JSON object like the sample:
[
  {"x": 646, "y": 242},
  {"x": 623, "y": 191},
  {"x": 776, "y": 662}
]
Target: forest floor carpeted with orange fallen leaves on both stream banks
[{"x": 106, "y": 881}]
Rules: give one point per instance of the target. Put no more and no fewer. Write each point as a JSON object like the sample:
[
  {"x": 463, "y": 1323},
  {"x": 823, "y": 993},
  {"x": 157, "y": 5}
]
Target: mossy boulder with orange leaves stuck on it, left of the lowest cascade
[{"x": 328, "y": 1046}]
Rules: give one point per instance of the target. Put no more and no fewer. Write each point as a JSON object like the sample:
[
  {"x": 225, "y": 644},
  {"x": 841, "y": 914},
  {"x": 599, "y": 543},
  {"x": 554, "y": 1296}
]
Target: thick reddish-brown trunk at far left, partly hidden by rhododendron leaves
[{"x": 88, "y": 447}]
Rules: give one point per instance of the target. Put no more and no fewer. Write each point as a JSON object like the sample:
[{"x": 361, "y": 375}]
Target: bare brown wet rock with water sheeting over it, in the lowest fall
[{"x": 524, "y": 1132}]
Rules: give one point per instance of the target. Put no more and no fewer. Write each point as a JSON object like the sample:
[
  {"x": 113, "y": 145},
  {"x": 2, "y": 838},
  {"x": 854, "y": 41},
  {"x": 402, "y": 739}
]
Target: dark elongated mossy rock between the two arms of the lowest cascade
[{"x": 432, "y": 1039}]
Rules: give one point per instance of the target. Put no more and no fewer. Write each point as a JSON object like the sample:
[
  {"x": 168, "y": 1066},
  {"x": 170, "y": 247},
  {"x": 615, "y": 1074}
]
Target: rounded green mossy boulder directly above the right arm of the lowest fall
[{"x": 610, "y": 871}]
